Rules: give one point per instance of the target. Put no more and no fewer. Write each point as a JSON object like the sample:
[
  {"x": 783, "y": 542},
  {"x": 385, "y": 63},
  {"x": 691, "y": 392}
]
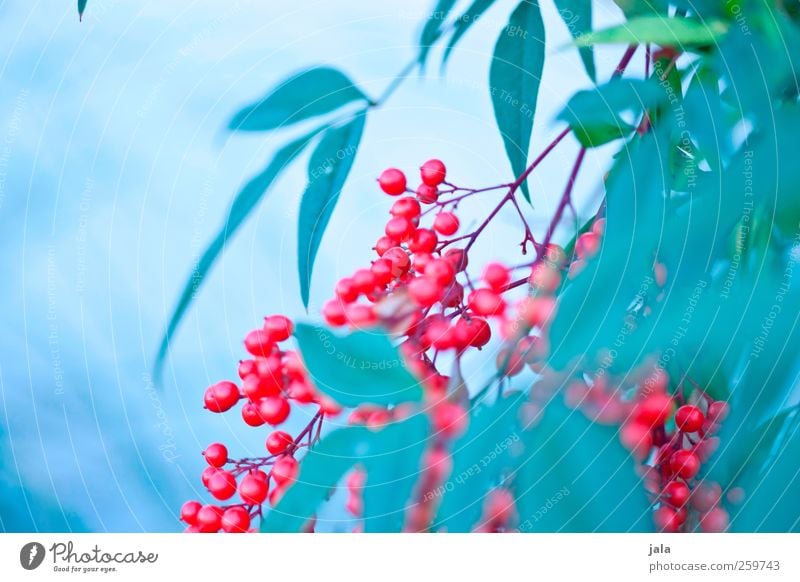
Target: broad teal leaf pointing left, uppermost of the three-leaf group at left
[{"x": 307, "y": 94}]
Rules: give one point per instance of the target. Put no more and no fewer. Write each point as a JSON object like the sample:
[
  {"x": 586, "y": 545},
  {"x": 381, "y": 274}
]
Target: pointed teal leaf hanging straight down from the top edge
[{"x": 514, "y": 78}]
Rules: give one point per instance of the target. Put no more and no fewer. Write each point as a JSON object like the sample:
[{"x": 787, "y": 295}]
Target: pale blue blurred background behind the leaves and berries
[{"x": 115, "y": 171}]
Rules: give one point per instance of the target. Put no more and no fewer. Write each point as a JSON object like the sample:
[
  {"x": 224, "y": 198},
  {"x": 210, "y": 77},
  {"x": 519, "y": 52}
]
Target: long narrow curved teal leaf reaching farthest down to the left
[{"x": 244, "y": 203}]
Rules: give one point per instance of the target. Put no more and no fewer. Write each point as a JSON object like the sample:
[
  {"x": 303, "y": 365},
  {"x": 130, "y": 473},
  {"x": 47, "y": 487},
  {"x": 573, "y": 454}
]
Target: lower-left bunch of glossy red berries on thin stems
[{"x": 271, "y": 381}]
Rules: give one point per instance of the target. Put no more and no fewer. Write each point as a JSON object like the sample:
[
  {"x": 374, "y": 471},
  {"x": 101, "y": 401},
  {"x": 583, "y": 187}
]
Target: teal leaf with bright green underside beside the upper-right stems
[{"x": 596, "y": 115}]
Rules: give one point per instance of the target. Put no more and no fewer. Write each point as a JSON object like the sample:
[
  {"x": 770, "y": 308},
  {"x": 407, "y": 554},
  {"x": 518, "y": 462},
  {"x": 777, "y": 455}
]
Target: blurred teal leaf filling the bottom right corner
[{"x": 771, "y": 494}]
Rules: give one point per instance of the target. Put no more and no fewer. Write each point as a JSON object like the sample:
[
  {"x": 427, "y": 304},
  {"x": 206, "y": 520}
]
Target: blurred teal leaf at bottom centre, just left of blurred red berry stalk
[{"x": 393, "y": 468}]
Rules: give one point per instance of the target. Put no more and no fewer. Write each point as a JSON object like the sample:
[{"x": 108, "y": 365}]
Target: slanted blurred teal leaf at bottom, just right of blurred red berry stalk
[{"x": 480, "y": 460}]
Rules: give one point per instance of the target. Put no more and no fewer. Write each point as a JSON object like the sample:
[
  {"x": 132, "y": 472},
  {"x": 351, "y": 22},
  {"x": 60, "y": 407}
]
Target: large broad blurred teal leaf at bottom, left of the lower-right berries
[{"x": 577, "y": 477}]
